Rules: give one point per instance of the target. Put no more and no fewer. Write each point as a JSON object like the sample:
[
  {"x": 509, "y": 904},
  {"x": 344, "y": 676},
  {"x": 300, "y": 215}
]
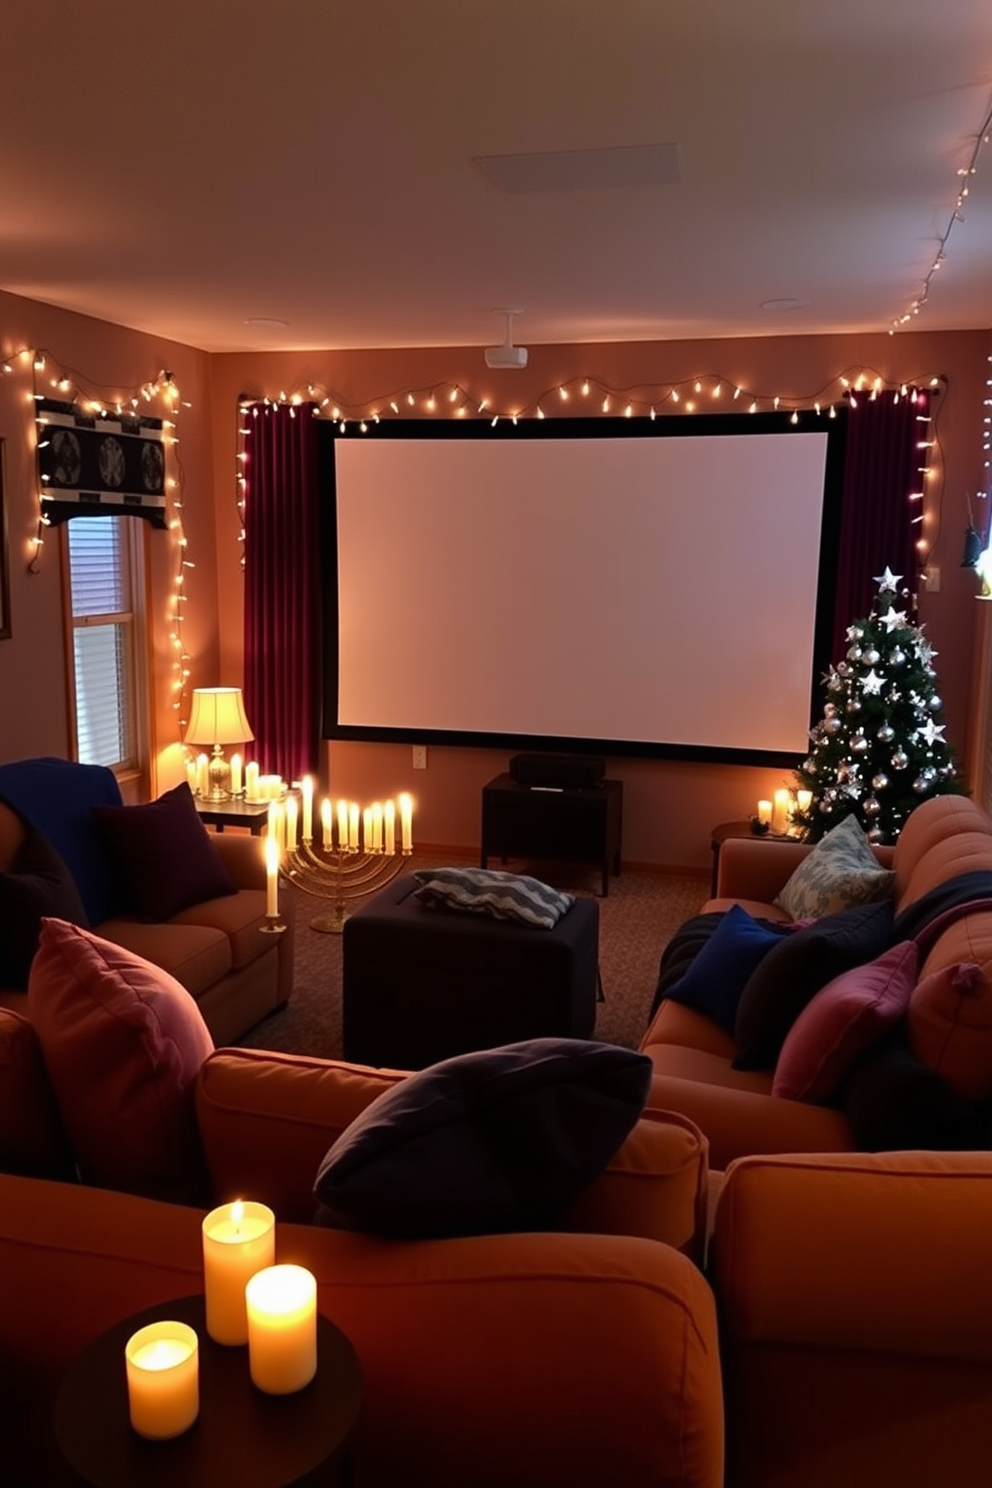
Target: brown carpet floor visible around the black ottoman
[{"x": 637, "y": 919}]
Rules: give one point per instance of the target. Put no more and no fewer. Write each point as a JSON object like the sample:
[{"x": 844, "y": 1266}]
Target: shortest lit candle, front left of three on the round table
[{"x": 163, "y": 1368}]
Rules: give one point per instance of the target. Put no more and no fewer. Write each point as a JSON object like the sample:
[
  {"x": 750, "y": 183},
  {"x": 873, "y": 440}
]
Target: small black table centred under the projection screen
[{"x": 530, "y": 822}]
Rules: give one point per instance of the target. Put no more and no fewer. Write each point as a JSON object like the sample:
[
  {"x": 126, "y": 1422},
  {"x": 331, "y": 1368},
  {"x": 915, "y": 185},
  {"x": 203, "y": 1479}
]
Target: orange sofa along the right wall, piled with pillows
[{"x": 947, "y": 841}]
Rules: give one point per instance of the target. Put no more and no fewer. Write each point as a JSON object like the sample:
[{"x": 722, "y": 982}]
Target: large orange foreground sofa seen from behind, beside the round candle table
[{"x": 581, "y": 1356}]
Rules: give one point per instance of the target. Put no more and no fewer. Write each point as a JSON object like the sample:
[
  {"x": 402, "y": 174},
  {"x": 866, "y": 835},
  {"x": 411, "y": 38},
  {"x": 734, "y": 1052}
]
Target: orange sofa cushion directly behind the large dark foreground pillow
[{"x": 267, "y": 1121}]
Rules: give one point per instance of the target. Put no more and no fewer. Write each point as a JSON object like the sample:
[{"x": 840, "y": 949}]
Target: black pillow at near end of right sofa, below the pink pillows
[{"x": 896, "y": 1105}]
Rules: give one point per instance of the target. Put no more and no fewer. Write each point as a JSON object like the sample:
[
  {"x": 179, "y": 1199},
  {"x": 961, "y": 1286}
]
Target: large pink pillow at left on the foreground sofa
[{"x": 123, "y": 1044}]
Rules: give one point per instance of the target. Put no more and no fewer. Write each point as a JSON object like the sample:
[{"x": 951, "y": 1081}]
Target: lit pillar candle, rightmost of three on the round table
[{"x": 282, "y": 1306}]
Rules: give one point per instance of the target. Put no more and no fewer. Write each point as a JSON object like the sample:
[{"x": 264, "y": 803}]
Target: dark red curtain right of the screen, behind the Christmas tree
[{"x": 883, "y": 468}]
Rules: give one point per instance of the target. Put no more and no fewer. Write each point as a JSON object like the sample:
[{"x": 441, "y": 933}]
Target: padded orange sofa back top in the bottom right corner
[{"x": 881, "y": 1252}]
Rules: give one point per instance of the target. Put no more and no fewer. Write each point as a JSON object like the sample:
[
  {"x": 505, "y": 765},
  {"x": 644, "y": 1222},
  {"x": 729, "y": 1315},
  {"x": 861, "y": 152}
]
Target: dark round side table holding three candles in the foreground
[{"x": 242, "y": 1437}]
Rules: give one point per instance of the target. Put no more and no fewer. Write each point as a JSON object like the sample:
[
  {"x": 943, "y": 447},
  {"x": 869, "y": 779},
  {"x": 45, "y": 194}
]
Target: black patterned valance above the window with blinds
[{"x": 100, "y": 465}]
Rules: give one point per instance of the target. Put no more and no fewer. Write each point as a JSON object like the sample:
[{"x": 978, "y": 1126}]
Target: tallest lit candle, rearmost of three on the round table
[{"x": 239, "y": 1240}]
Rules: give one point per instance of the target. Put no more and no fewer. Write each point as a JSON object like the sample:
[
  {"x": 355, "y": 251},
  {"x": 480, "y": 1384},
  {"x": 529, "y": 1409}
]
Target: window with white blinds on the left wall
[{"x": 106, "y": 605}]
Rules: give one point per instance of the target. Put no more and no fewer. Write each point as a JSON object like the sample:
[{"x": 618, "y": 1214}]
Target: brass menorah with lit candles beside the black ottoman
[{"x": 358, "y": 852}]
